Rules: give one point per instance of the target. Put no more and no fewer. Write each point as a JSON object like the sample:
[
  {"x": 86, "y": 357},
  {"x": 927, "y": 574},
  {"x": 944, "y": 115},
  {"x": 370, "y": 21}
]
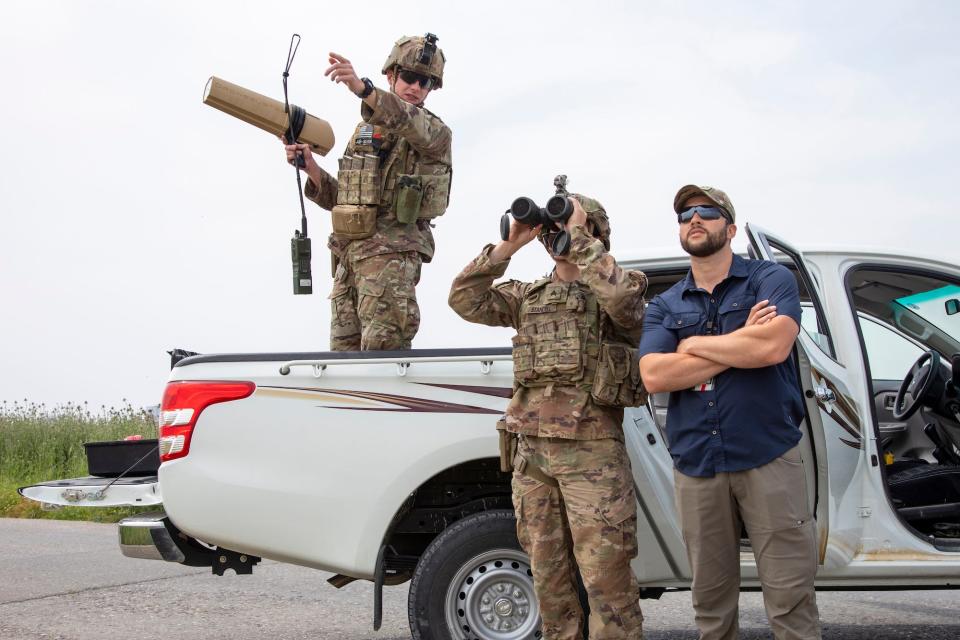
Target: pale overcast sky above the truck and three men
[{"x": 136, "y": 219}]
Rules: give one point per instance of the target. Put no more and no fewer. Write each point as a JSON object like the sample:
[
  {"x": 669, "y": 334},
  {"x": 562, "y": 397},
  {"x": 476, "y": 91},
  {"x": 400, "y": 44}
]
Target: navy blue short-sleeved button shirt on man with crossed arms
[{"x": 746, "y": 417}]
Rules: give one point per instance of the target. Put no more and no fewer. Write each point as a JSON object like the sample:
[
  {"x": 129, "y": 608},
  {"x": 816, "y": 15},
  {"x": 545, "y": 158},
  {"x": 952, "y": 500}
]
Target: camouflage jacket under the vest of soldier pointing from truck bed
[{"x": 429, "y": 144}]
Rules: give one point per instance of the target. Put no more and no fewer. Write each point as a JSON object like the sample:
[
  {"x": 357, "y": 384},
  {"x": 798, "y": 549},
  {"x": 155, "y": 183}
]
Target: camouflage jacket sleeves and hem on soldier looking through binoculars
[{"x": 556, "y": 411}]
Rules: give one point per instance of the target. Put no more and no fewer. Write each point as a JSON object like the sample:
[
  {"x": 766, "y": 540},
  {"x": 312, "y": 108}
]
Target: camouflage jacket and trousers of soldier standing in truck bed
[{"x": 374, "y": 302}]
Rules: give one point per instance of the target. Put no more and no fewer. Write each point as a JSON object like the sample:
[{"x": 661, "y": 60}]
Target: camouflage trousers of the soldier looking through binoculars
[{"x": 590, "y": 522}]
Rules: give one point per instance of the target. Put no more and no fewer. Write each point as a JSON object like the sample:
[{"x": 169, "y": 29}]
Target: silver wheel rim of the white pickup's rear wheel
[{"x": 491, "y": 597}]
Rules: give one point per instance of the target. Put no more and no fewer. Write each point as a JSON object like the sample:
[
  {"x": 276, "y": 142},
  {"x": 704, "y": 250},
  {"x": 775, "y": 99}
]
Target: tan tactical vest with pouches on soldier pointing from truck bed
[{"x": 382, "y": 175}]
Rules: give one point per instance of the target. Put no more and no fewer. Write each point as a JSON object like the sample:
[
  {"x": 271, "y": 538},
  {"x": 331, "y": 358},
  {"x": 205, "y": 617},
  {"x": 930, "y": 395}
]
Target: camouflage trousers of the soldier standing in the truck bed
[{"x": 373, "y": 305}]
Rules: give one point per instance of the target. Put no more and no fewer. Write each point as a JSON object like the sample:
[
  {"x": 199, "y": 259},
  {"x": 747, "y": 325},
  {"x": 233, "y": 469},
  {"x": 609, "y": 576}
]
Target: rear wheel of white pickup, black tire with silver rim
[{"x": 474, "y": 583}]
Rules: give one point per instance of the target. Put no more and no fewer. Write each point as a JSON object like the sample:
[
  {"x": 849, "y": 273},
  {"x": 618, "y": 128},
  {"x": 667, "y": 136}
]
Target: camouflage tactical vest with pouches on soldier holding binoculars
[{"x": 566, "y": 339}]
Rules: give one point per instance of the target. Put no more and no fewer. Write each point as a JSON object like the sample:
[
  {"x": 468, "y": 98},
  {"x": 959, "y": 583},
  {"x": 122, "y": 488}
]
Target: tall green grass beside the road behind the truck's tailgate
[{"x": 40, "y": 443}]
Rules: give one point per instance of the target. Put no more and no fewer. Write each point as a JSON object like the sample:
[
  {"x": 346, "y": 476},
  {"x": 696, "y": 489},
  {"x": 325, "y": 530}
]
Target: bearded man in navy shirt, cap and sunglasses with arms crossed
[{"x": 720, "y": 342}]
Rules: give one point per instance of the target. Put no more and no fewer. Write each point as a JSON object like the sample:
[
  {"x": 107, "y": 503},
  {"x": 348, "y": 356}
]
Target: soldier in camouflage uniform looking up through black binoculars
[{"x": 574, "y": 371}]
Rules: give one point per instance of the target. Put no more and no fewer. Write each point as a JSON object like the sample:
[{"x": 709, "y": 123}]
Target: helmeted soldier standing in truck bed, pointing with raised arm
[{"x": 393, "y": 179}]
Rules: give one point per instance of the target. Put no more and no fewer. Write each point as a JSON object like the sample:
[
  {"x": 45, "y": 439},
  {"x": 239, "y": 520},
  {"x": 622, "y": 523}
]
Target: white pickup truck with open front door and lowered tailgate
[{"x": 383, "y": 466}]
